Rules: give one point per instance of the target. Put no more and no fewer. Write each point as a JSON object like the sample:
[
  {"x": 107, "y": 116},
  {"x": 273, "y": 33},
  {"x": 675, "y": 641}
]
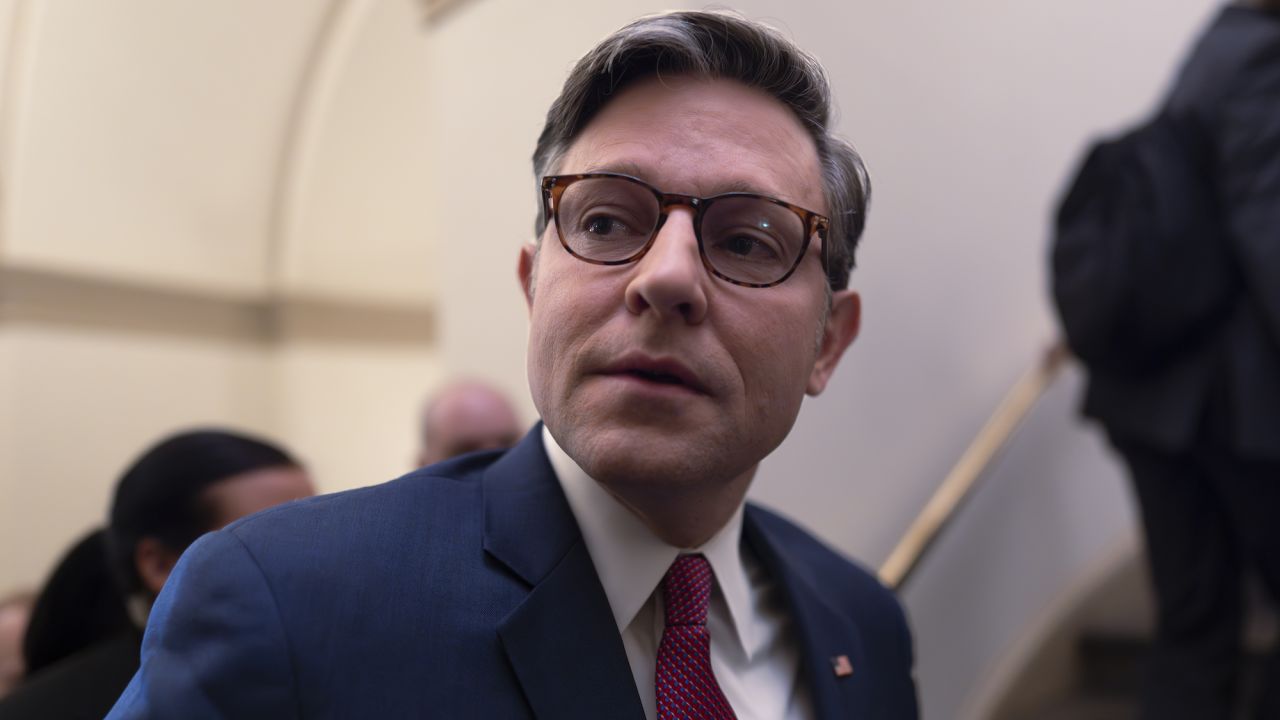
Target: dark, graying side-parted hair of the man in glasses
[{"x": 717, "y": 45}]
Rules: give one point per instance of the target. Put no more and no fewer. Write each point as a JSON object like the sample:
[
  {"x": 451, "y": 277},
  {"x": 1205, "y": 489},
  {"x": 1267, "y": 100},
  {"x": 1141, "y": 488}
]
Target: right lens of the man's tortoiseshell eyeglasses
[{"x": 752, "y": 240}]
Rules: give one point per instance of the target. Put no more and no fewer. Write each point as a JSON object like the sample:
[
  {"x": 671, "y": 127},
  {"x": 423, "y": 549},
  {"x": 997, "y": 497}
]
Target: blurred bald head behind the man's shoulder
[{"x": 464, "y": 418}]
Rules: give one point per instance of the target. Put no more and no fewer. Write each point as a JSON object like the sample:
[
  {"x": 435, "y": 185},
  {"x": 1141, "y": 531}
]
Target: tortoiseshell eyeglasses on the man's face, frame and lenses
[{"x": 743, "y": 238}]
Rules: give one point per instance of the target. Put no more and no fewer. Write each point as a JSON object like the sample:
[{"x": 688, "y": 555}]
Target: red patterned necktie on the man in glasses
[{"x": 685, "y": 686}]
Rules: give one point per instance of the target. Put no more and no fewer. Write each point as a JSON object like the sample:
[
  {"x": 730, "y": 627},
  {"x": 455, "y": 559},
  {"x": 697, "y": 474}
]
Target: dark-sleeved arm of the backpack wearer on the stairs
[{"x": 1249, "y": 179}]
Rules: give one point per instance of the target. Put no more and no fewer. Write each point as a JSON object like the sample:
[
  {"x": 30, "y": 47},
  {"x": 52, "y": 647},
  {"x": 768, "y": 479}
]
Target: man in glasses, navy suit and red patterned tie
[{"x": 685, "y": 291}]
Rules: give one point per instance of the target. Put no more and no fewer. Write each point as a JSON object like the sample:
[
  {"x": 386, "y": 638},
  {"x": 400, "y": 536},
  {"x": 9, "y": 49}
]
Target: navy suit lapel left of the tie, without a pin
[{"x": 561, "y": 641}]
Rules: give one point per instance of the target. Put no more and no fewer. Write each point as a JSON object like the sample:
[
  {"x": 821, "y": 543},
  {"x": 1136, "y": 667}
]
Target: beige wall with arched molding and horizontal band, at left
[{"x": 211, "y": 213}]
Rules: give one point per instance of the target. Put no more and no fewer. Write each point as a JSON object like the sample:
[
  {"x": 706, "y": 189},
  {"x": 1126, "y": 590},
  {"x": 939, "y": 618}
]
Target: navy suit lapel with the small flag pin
[{"x": 825, "y": 632}]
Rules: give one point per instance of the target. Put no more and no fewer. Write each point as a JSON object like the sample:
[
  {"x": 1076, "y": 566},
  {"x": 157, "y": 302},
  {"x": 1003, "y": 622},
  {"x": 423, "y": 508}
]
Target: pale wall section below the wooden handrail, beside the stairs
[{"x": 1049, "y": 520}]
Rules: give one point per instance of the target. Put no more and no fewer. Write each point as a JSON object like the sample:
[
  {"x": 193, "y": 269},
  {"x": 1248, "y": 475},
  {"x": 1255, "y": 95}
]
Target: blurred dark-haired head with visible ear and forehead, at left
[{"x": 186, "y": 486}]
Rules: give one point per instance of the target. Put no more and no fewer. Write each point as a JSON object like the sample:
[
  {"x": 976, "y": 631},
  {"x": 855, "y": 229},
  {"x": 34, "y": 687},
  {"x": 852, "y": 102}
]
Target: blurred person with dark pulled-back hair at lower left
[{"x": 179, "y": 490}]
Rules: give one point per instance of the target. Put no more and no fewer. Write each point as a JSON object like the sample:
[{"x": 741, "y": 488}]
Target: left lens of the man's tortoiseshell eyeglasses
[{"x": 607, "y": 220}]
